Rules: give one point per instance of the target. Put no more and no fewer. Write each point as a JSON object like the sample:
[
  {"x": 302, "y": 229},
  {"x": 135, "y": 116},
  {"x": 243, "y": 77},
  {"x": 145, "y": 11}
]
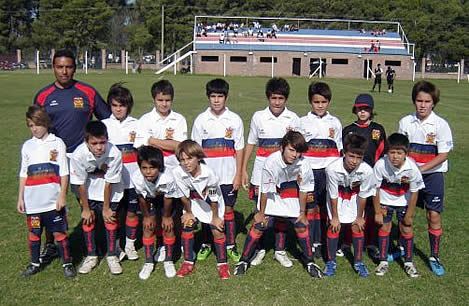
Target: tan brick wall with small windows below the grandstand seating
[{"x": 254, "y": 65}]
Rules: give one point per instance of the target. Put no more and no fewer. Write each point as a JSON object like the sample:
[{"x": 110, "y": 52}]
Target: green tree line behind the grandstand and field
[{"x": 440, "y": 29}]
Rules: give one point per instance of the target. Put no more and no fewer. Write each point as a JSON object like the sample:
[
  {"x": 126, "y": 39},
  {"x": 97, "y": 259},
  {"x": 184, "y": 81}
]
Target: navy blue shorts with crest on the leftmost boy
[{"x": 54, "y": 222}]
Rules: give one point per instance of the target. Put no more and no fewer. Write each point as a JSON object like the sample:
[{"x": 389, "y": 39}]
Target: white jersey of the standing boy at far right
[{"x": 427, "y": 139}]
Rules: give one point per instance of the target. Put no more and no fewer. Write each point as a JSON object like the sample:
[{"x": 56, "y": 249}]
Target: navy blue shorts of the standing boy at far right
[{"x": 431, "y": 197}]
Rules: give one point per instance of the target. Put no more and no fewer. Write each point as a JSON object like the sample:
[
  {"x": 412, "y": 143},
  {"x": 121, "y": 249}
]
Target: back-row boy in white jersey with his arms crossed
[{"x": 164, "y": 129}]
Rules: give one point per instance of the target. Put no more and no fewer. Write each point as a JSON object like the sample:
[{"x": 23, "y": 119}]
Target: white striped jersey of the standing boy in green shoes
[{"x": 220, "y": 137}]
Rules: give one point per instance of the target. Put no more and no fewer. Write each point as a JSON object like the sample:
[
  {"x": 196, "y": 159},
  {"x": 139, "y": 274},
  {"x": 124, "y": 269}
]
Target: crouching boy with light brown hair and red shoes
[{"x": 203, "y": 202}]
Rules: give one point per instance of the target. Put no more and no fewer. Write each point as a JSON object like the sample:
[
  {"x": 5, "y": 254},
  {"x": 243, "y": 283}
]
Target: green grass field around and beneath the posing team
[{"x": 268, "y": 284}]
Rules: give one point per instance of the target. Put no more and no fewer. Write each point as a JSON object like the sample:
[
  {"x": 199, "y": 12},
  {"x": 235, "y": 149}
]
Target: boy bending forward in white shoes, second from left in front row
[{"x": 96, "y": 167}]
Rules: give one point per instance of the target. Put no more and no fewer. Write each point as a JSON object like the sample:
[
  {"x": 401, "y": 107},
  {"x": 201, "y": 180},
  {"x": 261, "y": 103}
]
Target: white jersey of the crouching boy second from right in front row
[{"x": 347, "y": 188}]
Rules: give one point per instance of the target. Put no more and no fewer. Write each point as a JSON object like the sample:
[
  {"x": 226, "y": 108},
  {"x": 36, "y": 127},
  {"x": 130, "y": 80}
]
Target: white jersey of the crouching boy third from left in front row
[{"x": 164, "y": 184}]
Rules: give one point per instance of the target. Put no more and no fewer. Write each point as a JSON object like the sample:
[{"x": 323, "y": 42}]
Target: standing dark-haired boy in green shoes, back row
[{"x": 220, "y": 133}]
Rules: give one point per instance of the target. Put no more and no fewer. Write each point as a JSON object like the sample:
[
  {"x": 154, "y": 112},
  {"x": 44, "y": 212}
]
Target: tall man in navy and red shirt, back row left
[{"x": 70, "y": 104}]
